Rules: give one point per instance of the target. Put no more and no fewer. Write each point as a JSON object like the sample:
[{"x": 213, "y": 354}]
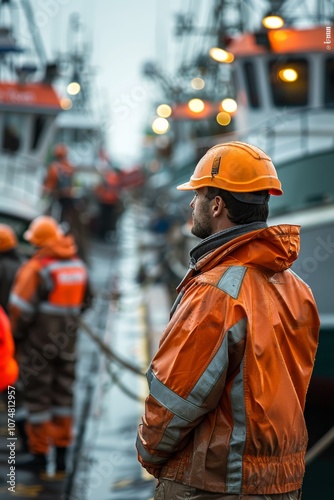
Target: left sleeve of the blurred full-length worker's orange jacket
[{"x": 23, "y": 300}]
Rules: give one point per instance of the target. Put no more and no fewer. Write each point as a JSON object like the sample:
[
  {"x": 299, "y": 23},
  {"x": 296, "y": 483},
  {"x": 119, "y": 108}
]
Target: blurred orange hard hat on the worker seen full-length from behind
[{"x": 42, "y": 231}]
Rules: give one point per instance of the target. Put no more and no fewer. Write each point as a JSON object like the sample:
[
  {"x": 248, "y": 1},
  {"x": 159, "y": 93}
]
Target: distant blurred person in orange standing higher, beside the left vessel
[{"x": 58, "y": 184}]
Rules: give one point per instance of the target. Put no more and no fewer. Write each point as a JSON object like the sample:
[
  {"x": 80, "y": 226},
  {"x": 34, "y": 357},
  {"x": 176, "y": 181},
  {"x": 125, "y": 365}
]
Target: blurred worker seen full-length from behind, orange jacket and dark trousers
[{"x": 49, "y": 293}]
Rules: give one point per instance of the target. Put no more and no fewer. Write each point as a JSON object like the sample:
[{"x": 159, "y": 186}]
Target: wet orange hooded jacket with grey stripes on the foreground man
[{"x": 229, "y": 381}]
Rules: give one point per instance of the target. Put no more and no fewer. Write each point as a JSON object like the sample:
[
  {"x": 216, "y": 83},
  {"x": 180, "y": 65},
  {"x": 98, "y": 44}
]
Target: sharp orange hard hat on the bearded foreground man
[{"x": 237, "y": 167}]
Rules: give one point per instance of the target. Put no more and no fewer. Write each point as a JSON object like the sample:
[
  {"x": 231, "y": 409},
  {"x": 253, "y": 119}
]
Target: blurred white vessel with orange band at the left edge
[{"x": 29, "y": 106}]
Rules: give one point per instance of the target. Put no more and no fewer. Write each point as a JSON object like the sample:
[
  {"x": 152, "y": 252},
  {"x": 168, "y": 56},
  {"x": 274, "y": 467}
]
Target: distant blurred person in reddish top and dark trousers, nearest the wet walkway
[{"x": 107, "y": 193}]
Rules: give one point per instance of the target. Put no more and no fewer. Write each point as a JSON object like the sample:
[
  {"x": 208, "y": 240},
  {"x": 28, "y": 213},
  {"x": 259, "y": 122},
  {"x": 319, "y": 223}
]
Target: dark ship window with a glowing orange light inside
[{"x": 289, "y": 80}]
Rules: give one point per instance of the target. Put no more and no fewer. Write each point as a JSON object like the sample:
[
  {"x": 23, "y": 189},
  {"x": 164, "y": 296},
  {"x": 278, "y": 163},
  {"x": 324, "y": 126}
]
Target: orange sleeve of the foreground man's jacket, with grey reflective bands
[{"x": 187, "y": 376}]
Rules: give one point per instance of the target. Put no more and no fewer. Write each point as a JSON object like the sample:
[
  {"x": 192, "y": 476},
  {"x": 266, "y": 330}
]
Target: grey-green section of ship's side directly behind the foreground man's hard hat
[{"x": 307, "y": 182}]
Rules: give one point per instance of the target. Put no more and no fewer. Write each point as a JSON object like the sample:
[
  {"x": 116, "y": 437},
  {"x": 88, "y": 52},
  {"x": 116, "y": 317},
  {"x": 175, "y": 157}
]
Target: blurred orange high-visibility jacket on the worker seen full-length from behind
[{"x": 53, "y": 282}]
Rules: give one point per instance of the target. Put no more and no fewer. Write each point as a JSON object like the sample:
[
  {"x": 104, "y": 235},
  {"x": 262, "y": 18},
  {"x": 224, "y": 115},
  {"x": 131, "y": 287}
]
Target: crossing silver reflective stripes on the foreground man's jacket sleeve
[{"x": 189, "y": 409}]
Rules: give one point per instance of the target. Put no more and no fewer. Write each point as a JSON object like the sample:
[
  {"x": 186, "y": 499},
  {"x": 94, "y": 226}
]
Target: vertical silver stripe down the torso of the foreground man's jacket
[{"x": 238, "y": 437}]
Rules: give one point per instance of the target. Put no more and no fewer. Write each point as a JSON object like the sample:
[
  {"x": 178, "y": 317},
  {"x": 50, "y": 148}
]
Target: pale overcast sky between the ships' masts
[{"x": 123, "y": 34}]
